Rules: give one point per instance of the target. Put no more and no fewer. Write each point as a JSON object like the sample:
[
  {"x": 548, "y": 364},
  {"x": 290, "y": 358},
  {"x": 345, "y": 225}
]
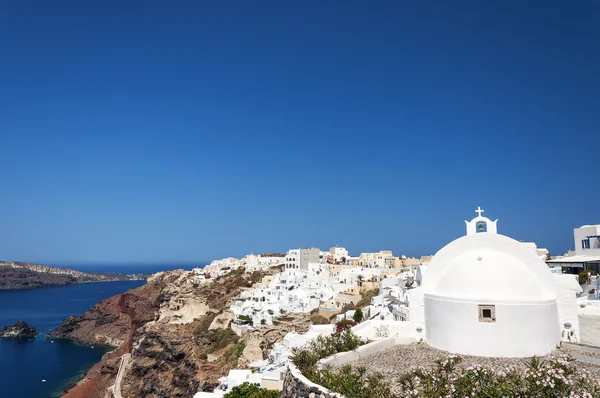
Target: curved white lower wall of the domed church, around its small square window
[{"x": 521, "y": 329}]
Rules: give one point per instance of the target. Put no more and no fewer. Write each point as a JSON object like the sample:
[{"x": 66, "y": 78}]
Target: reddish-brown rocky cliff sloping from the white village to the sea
[{"x": 178, "y": 334}]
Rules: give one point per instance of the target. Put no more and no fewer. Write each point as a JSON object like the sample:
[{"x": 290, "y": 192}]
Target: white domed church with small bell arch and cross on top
[{"x": 486, "y": 294}]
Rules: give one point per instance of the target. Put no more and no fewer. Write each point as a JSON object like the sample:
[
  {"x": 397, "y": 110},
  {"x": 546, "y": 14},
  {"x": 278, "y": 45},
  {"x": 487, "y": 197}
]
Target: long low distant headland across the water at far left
[{"x": 20, "y": 275}]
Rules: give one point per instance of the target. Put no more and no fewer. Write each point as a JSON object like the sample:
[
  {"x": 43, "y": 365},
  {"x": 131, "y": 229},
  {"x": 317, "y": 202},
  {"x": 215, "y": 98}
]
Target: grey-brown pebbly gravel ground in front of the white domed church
[{"x": 393, "y": 362}]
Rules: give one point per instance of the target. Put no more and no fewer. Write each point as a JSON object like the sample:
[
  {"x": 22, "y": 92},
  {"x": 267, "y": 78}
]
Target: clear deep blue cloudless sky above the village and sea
[{"x": 149, "y": 131}]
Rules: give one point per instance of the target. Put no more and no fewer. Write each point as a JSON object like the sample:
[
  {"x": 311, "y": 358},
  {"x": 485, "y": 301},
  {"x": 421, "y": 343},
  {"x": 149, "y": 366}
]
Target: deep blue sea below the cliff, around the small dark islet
[{"x": 44, "y": 368}]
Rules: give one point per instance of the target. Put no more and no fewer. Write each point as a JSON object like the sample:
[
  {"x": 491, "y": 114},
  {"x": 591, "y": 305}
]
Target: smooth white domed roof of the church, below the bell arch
[{"x": 489, "y": 266}]
